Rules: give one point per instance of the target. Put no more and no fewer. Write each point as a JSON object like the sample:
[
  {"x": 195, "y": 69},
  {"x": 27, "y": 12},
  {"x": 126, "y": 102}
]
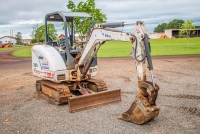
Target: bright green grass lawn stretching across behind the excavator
[{"x": 159, "y": 47}]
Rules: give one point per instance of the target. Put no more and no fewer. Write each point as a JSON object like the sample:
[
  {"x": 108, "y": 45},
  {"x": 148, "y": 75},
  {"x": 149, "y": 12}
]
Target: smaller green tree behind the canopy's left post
[{"x": 38, "y": 33}]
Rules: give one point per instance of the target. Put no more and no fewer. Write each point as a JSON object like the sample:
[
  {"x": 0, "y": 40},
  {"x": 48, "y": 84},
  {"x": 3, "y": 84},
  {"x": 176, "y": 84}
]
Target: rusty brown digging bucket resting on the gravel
[{"x": 143, "y": 109}]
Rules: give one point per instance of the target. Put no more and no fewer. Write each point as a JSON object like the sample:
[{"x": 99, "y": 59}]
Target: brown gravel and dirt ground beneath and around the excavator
[{"x": 23, "y": 111}]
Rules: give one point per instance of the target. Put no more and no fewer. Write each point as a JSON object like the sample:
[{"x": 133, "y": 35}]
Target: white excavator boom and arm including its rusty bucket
[{"x": 144, "y": 108}]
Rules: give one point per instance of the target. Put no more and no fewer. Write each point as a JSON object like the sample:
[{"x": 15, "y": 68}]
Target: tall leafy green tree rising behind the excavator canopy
[{"x": 82, "y": 26}]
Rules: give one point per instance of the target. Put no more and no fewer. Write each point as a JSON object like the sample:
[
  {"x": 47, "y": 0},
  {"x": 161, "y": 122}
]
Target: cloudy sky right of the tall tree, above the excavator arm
[{"x": 152, "y": 12}]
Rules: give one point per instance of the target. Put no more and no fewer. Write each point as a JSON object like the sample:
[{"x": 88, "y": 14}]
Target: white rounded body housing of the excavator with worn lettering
[{"x": 47, "y": 63}]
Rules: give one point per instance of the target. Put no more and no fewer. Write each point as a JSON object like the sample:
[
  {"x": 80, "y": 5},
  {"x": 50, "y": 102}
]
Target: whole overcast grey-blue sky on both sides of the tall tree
[{"x": 22, "y": 15}]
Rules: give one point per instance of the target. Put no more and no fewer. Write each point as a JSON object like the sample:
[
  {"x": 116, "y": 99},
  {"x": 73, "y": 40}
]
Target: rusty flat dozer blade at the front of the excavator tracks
[{"x": 77, "y": 103}]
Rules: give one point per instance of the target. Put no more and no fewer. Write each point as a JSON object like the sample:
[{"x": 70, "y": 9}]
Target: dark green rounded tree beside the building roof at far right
[{"x": 174, "y": 24}]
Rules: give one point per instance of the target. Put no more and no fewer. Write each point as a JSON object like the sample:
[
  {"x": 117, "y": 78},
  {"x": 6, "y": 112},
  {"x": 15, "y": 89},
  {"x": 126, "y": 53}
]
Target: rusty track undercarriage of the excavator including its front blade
[{"x": 79, "y": 95}]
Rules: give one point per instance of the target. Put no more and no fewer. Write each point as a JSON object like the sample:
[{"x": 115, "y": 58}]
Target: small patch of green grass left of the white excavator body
[{"x": 23, "y": 53}]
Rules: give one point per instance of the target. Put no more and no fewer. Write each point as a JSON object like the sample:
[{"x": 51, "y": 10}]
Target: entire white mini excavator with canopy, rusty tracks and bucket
[{"x": 67, "y": 72}]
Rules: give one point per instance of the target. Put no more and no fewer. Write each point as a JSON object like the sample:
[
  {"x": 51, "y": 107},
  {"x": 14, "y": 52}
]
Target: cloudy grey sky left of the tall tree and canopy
[{"x": 22, "y": 15}]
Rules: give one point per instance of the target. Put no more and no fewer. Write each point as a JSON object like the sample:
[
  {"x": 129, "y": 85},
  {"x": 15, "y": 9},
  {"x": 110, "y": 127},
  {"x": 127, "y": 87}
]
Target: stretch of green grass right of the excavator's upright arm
[{"x": 174, "y": 47}]
